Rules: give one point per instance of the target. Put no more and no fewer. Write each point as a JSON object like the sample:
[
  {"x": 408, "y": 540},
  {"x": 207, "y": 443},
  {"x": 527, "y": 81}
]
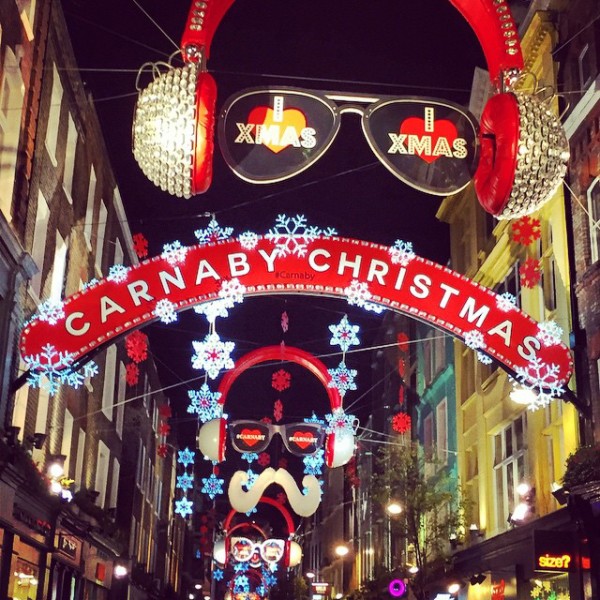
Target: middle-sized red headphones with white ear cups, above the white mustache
[{"x": 339, "y": 447}]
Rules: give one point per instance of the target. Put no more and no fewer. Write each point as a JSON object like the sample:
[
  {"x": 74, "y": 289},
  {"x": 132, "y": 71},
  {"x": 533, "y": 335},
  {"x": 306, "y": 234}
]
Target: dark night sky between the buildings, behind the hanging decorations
[{"x": 393, "y": 47}]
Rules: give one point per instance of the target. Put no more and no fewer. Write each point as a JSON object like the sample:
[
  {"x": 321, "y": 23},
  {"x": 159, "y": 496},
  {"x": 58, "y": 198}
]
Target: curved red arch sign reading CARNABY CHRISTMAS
[{"x": 422, "y": 289}]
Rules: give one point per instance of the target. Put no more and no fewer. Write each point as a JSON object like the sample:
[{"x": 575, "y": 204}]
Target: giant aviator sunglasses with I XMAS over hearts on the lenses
[{"x": 270, "y": 134}]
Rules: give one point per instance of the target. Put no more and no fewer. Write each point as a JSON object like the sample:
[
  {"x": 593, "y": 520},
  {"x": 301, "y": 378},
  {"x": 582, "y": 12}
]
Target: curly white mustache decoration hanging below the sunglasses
[{"x": 303, "y": 505}]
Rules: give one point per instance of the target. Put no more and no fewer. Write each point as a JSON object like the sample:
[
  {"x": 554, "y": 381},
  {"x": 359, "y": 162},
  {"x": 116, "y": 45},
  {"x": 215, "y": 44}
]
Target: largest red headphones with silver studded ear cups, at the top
[{"x": 523, "y": 146}]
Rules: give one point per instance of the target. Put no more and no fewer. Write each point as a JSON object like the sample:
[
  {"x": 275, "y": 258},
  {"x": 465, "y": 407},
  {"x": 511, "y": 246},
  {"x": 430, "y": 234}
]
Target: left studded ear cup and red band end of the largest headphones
[{"x": 173, "y": 126}]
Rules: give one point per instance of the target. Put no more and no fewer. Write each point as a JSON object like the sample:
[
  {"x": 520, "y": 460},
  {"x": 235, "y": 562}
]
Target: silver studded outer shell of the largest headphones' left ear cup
[{"x": 164, "y": 129}]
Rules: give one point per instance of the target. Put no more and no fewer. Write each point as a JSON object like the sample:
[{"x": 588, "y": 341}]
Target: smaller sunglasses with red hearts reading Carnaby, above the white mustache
[{"x": 301, "y": 439}]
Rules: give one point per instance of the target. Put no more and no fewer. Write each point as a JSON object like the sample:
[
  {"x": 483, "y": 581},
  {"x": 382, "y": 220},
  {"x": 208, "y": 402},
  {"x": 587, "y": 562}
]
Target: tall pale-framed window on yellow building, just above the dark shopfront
[{"x": 509, "y": 467}]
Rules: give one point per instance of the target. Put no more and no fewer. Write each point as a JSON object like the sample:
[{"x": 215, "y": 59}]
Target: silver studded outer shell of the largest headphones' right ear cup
[{"x": 542, "y": 155}]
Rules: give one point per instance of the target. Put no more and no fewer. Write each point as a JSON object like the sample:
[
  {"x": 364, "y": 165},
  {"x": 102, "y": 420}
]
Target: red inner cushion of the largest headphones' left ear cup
[{"x": 206, "y": 98}]
